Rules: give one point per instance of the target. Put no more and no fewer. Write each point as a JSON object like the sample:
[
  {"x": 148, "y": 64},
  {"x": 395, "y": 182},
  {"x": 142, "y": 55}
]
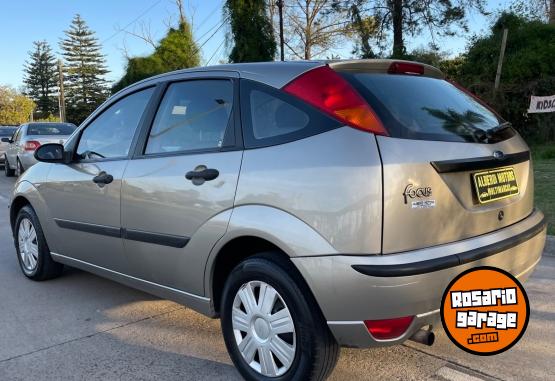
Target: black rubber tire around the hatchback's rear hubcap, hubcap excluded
[{"x": 316, "y": 349}]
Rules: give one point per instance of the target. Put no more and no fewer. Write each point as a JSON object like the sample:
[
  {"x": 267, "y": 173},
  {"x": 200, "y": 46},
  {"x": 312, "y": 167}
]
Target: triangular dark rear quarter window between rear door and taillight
[{"x": 273, "y": 117}]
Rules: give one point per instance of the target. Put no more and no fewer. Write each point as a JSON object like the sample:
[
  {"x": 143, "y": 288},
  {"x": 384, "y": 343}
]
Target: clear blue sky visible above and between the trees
[{"x": 25, "y": 21}]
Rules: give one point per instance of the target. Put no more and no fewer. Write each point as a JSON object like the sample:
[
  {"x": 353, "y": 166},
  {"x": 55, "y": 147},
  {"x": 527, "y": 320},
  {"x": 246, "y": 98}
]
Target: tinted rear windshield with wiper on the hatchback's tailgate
[{"x": 427, "y": 108}]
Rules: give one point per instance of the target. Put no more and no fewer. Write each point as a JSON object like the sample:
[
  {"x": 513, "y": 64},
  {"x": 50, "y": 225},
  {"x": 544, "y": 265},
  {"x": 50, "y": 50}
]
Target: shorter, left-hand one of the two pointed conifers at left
[{"x": 40, "y": 78}]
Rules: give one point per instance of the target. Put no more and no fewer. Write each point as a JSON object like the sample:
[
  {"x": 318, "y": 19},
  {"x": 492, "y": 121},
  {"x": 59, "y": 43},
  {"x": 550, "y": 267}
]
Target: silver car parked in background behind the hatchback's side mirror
[{"x": 20, "y": 150}]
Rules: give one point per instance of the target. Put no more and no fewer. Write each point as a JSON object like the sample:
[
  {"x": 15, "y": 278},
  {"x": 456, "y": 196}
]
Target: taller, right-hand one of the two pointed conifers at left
[{"x": 85, "y": 68}]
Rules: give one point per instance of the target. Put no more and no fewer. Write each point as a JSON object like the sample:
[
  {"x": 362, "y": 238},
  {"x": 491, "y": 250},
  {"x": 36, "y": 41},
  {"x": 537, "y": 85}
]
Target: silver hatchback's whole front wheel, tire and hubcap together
[{"x": 32, "y": 251}]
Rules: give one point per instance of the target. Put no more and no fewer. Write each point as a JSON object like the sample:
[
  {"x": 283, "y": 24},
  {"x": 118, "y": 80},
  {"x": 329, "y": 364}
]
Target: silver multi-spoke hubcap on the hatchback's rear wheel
[{"x": 263, "y": 328}]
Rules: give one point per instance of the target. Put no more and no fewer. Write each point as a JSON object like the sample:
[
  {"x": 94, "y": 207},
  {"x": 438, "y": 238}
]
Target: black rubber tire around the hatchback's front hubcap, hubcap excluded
[{"x": 45, "y": 267}]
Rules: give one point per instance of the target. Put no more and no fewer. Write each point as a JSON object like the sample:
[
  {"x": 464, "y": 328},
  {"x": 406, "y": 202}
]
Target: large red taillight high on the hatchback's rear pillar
[{"x": 326, "y": 90}]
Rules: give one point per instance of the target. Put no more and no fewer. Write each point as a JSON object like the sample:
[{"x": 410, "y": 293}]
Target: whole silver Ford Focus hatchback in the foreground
[{"x": 309, "y": 205}]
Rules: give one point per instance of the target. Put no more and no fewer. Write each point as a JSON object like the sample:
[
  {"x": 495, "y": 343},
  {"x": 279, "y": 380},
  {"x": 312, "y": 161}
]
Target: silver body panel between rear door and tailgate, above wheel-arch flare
[{"x": 330, "y": 181}]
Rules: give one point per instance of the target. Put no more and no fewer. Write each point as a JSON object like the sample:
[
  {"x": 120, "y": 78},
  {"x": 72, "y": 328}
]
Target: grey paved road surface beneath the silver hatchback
[{"x": 82, "y": 327}]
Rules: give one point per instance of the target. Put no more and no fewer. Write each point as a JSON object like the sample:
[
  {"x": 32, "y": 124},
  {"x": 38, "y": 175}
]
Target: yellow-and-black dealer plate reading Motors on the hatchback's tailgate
[{"x": 495, "y": 184}]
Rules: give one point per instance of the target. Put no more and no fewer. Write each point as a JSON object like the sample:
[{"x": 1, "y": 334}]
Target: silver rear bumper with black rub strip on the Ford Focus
[{"x": 351, "y": 289}]
